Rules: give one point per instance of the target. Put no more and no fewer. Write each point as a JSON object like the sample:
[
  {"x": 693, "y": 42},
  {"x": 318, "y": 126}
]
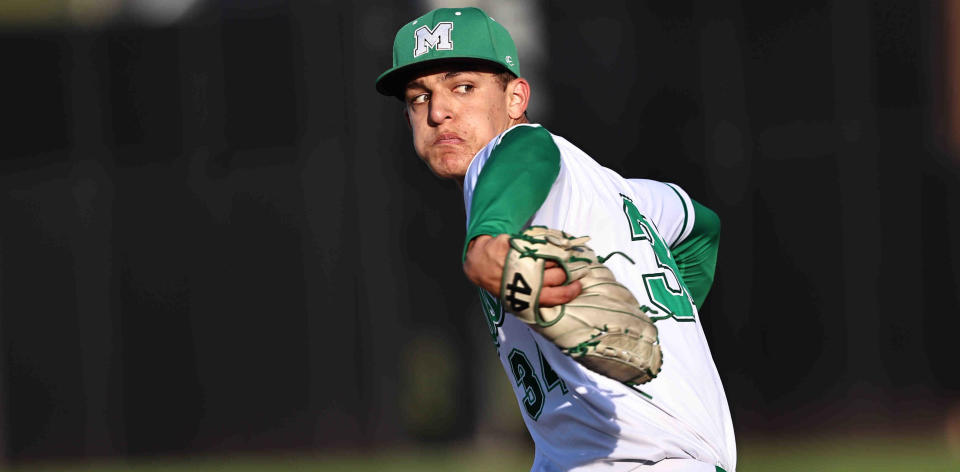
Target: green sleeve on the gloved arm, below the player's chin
[{"x": 513, "y": 183}]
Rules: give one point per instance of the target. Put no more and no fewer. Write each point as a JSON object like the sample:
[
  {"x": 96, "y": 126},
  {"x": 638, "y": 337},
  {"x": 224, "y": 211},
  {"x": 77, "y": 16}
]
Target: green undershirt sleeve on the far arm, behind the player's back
[{"x": 696, "y": 256}]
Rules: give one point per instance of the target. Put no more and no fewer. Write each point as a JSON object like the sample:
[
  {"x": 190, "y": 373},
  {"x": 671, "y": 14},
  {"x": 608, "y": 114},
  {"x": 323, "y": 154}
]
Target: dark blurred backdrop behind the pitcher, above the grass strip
[{"x": 216, "y": 237}]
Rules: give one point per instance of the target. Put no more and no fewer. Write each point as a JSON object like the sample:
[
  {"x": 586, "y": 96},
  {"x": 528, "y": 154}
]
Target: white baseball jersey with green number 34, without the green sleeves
[{"x": 581, "y": 420}]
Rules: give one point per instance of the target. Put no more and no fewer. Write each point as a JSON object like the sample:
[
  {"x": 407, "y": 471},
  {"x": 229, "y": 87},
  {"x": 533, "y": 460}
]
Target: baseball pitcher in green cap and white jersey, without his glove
[{"x": 458, "y": 74}]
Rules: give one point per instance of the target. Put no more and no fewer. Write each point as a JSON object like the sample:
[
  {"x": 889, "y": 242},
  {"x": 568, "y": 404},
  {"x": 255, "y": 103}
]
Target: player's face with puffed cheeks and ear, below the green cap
[{"x": 453, "y": 114}]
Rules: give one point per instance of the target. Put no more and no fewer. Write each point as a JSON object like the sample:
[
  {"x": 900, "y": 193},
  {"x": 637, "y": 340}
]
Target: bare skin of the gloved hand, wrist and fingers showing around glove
[{"x": 484, "y": 267}]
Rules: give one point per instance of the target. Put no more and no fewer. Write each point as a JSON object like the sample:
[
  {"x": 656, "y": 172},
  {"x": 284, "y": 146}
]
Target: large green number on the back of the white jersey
[{"x": 664, "y": 287}]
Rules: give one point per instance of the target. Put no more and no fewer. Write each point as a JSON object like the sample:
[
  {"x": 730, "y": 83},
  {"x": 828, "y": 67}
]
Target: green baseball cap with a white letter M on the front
[{"x": 444, "y": 34}]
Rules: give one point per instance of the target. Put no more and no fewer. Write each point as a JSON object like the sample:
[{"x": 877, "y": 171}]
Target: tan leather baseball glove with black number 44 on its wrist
[{"x": 604, "y": 328}]
